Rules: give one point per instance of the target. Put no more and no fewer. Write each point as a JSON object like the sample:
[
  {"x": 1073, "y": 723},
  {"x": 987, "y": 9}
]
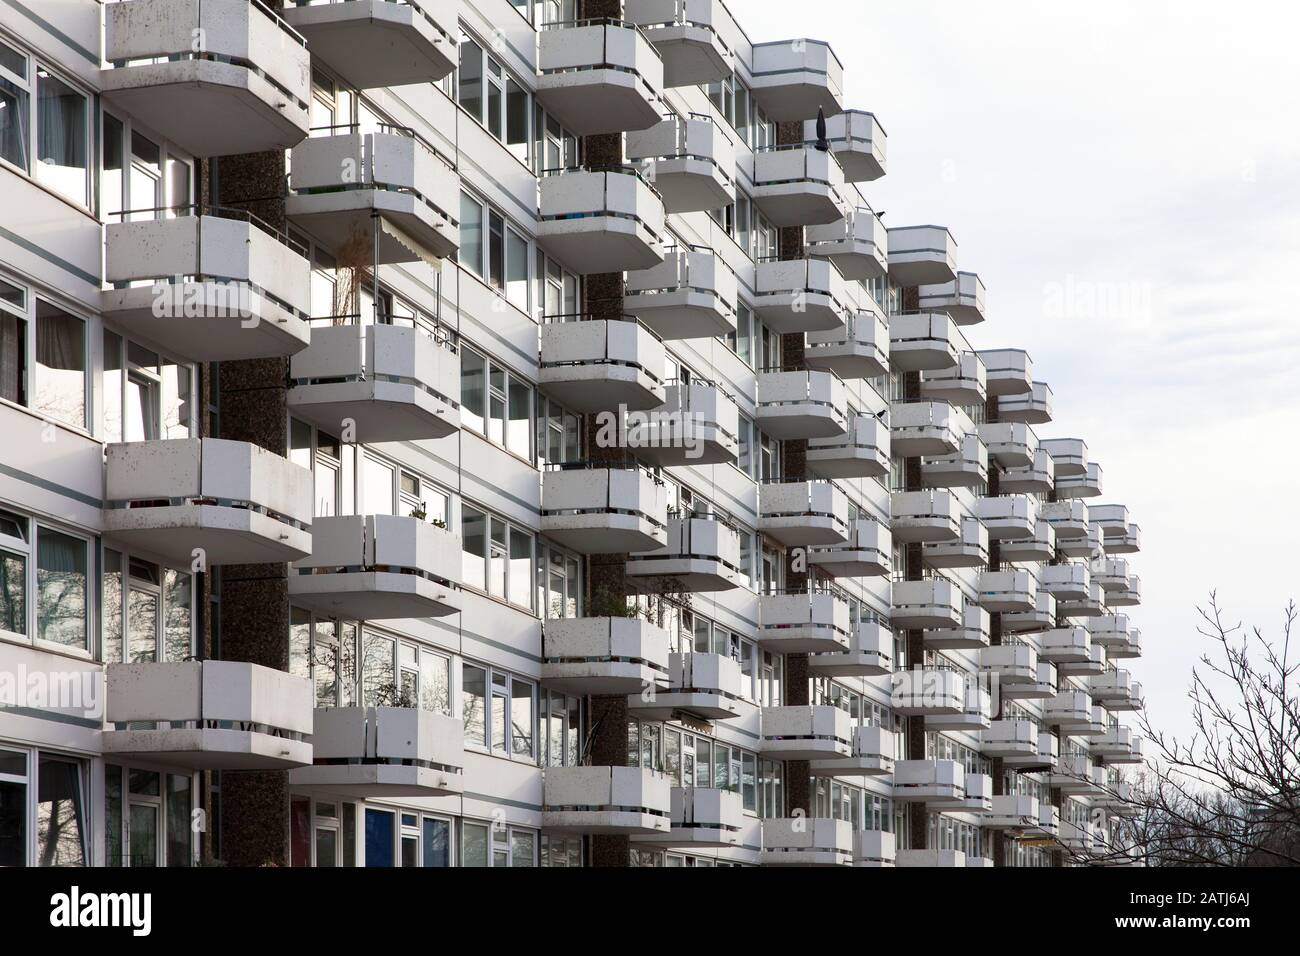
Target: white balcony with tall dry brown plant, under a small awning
[{"x": 391, "y": 383}]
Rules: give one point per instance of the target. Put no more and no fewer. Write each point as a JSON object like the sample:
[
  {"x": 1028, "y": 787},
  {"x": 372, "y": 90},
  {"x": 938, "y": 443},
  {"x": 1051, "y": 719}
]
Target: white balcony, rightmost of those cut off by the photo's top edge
[{"x": 686, "y": 34}]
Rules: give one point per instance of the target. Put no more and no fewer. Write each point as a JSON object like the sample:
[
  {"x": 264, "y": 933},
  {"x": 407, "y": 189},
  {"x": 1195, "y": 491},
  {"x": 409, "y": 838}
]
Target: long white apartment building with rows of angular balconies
[{"x": 502, "y": 434}]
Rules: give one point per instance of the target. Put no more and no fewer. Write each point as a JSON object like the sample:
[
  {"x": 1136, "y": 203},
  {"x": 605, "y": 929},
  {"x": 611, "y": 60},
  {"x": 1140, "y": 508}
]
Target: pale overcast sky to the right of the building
[{"x": 1125, "y": 178}]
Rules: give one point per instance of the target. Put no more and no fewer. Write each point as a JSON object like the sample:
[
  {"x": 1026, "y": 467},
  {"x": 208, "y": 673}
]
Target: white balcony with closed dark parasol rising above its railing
[{"x": 798, "y": 185}]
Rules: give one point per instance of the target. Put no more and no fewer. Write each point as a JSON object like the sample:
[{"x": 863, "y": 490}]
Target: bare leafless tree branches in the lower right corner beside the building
[{"x": 1228, "y": 795}]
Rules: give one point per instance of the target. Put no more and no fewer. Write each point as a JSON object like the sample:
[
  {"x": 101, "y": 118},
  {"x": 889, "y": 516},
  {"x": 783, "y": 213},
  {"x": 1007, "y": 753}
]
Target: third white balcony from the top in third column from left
[{"x": 603, "y": 365}]
